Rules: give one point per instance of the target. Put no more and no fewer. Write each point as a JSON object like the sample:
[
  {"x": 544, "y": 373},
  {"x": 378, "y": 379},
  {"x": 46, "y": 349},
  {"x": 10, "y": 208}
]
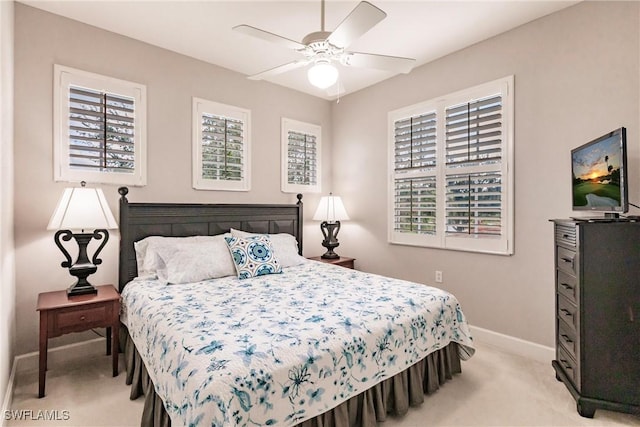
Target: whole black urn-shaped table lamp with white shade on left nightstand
[{"x": 80, "y": 209}]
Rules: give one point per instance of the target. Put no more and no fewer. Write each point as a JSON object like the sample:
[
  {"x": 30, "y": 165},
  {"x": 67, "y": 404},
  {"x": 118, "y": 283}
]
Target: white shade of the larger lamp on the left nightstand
[{"x": 82, "y": 209}]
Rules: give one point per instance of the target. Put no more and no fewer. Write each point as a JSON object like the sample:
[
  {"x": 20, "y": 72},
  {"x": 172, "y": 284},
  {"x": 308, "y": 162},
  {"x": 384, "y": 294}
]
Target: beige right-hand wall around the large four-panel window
[{"x": 576, "y": 78}]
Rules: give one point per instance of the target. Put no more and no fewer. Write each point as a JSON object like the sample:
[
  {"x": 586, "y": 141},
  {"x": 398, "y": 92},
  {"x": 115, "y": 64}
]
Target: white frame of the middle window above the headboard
[{"x": 201, "y": 106}]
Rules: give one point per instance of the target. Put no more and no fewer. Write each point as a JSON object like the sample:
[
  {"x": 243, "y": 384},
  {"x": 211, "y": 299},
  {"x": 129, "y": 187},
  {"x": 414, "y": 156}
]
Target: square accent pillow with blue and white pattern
[{"x": 253, "y": 256}]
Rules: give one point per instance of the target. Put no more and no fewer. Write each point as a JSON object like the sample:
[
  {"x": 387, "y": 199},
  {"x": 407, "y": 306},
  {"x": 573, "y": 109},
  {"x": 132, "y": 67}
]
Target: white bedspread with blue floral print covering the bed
[{"x": 283, "y": 348}]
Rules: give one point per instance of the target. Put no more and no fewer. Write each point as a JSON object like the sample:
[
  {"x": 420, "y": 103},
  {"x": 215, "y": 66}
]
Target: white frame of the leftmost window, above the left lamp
[{"x": 64, "y": 78}]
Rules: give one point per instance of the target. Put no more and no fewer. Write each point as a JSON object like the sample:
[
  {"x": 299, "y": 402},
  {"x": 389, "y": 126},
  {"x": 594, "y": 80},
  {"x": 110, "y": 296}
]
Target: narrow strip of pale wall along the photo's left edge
[{"x": 7, "y": 282}]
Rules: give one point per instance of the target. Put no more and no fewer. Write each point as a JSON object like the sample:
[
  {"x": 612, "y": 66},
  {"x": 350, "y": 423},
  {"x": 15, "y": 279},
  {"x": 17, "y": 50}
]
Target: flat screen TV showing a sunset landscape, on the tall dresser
[{"x": 599, "y": 170}]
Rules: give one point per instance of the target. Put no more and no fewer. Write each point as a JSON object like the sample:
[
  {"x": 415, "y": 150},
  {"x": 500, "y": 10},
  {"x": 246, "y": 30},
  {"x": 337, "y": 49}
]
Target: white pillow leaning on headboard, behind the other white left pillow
[{"x": 147, "y": 259}]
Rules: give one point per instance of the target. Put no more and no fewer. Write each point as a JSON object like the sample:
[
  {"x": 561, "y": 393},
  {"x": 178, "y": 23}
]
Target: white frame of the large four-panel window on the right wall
[{"x": 502, "y": 245}]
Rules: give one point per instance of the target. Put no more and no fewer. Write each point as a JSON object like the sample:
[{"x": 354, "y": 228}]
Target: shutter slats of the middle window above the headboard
[{"x": 222, "y": 148}]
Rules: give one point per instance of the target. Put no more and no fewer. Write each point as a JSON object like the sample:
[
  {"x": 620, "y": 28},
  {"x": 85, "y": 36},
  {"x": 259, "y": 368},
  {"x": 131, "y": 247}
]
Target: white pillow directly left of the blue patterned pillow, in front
[{"x": 196, "y": 261}]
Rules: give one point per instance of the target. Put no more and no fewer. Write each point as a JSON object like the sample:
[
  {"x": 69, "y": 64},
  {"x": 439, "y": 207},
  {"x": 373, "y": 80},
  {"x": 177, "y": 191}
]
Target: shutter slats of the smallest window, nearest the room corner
[{"x": 301, "y": 158}]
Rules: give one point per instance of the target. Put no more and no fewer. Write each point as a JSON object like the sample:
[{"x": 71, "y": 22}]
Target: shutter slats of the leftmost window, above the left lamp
[{"x": 101, "y": 131}]
